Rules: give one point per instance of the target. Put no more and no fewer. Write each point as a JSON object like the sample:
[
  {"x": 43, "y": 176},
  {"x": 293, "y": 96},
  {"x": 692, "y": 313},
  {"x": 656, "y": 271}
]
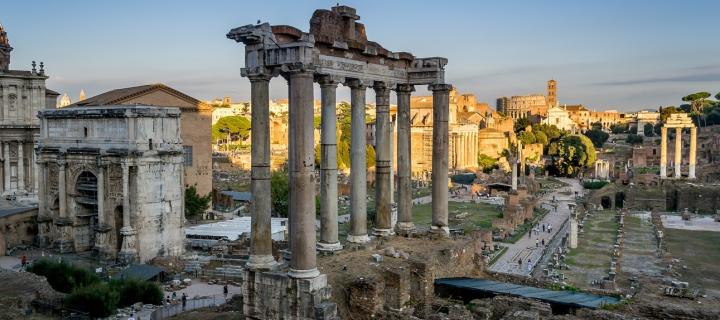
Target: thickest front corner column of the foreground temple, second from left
[{"x": 302, "y": 176}]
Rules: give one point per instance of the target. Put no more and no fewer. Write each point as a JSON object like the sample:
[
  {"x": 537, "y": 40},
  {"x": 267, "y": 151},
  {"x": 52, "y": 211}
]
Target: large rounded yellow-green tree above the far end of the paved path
[{"x": 571, "y": 154}]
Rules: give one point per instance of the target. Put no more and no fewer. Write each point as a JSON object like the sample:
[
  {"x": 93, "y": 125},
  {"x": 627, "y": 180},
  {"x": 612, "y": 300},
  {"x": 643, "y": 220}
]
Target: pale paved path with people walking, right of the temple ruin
[{"x": 525, "y": 248}]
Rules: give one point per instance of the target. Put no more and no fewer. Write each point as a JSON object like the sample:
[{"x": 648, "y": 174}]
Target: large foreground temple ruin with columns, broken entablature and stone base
[{"x": 335, "y": 51}]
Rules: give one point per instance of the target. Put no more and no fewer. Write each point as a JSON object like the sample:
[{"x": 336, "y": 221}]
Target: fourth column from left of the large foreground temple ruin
[{"x": 358, "y": 169}]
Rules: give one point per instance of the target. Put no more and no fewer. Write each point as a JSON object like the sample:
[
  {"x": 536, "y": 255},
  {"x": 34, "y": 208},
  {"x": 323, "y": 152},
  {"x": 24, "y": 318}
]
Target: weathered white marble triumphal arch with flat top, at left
[{"x": 112, "y": 181}]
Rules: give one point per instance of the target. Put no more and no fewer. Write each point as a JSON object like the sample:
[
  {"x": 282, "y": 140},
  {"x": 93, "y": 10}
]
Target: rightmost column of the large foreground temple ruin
[{"x": 441, "y": 110}]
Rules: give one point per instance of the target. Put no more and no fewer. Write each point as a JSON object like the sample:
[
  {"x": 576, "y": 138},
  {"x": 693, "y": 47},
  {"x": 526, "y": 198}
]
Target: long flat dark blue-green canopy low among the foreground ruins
[{"x": 566, "y": 298}]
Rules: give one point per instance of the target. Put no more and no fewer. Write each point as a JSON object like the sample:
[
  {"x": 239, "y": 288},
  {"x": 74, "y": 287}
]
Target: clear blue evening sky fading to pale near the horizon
[{"x": 617, "y": 54}]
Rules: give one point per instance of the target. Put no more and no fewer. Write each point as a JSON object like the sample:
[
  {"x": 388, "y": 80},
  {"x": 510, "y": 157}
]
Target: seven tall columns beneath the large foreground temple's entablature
[{"x": 301, "y": 225}]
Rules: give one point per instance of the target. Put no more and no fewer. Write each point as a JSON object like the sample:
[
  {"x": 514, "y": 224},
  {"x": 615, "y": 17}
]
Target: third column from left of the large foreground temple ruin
[{"x": 328, "y": 167}]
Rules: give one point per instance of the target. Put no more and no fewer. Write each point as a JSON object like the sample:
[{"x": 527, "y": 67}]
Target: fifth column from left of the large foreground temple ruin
[{"x": 383, "y": 159}]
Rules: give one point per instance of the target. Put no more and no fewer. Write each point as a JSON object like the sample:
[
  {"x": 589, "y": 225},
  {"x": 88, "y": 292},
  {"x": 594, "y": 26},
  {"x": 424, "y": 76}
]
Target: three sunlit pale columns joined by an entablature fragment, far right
[{"x": 679, "y": 121}]
